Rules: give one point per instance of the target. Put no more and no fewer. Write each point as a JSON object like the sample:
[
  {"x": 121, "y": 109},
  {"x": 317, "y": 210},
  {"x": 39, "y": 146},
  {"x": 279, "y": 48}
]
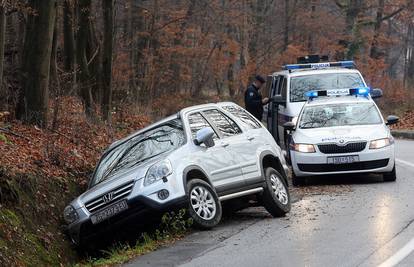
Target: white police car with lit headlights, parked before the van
[{"x": 341, "y": 131}]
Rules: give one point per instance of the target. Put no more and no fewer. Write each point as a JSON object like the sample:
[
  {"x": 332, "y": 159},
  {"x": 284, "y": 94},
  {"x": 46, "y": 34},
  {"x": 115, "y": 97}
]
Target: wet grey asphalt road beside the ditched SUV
[{"x": 335, "y": 221}]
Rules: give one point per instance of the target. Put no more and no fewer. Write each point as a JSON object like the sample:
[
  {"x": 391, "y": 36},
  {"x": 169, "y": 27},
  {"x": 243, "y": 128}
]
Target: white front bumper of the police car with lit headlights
[{"x": 375, "y": 161}]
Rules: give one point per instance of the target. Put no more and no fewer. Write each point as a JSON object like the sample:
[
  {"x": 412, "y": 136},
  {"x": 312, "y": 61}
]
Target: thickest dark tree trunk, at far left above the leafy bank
[{"x": 33, "y": 104}]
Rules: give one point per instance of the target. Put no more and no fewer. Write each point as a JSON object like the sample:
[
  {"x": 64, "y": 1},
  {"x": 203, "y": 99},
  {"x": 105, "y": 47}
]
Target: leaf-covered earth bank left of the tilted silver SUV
[{"x": 41, "y": 170}]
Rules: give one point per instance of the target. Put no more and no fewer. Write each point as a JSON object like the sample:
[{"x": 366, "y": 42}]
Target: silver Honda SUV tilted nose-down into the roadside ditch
[{"x": 198, "y": 158}]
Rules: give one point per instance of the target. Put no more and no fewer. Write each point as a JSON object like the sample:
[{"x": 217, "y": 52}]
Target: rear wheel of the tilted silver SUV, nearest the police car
[{"x": 275, "y": 197}]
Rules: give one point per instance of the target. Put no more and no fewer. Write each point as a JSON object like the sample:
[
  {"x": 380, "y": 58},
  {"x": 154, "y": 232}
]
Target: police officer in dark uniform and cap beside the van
[{"x": 253, "y": 99}]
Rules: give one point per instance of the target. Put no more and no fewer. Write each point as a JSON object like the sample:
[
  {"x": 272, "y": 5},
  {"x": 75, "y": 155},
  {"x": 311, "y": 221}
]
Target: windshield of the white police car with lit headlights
[{"x": 339, "y": 115}]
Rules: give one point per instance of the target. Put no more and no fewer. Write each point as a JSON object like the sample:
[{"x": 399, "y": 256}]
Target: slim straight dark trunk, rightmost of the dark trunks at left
[{"x": 108, "y": 12}]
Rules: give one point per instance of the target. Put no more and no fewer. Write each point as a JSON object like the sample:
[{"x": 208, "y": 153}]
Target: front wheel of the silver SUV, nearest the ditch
[{"x": 204, "y": 207}]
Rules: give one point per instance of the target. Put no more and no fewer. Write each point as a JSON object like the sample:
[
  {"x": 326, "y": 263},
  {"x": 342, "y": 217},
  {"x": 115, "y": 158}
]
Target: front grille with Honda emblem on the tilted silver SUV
[{"x": 109, "y": 197}]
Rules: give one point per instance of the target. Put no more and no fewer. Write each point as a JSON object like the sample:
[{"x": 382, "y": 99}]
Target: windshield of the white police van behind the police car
[{"x": 301, "y": 84}]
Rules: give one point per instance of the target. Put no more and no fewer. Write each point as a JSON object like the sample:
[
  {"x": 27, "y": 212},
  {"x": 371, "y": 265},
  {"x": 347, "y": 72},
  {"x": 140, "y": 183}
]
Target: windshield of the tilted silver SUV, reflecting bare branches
[{"x": 147, "y": 145}]
